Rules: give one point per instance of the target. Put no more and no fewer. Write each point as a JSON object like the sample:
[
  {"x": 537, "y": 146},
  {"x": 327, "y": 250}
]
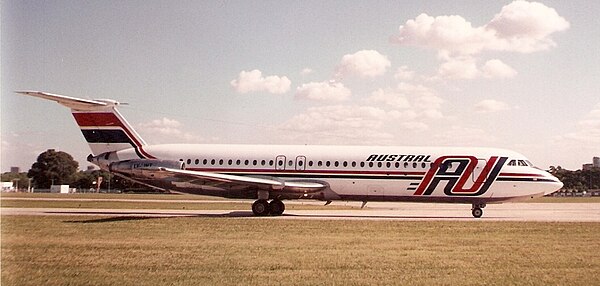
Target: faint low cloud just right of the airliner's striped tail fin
[{"x": 166, "y": 130}]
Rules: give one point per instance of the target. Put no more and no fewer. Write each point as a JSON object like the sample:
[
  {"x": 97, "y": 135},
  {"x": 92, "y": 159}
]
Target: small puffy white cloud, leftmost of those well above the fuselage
[{"x": 251, "y": 81}]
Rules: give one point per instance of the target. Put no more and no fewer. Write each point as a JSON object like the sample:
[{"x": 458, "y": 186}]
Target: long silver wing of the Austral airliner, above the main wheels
[{"x": 232, "y": 181}]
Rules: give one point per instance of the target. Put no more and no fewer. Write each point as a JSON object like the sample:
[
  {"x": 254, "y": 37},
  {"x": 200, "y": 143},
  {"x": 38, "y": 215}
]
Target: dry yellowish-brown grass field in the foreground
[{"x": 263, "y": 251}]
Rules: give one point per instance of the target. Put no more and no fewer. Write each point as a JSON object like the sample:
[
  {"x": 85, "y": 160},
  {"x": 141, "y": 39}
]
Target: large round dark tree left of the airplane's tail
[{"x": 53, "y": 167}]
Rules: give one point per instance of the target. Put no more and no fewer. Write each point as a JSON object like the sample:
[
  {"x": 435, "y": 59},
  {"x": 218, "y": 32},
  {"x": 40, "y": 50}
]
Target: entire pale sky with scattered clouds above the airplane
[{"x": 517, "y": 75}]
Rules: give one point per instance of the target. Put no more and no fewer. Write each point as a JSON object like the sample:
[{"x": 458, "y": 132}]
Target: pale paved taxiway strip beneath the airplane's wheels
[{"x": 546, "y": 212}]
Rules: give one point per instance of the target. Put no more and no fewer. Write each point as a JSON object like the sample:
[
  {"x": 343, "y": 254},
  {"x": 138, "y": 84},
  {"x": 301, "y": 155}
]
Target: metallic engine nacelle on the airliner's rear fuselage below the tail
[{"x": 144, "y": 168}]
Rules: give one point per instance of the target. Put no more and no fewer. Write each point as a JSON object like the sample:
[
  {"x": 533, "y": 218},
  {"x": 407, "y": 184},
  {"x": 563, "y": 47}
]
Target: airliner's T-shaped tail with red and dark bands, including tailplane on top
[{"x": 102, "y": 125}]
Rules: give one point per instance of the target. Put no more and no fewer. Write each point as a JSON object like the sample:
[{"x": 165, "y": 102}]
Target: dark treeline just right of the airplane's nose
[{"x": 579, "y": 180}]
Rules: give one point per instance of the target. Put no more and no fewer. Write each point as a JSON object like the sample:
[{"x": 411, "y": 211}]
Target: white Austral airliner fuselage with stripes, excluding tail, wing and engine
[{"x": 364, "y": 173}]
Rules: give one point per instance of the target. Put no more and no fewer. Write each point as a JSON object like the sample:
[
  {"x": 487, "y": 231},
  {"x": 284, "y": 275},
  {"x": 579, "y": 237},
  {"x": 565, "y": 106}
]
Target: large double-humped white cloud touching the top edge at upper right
[{"x": 519, "y": 27}]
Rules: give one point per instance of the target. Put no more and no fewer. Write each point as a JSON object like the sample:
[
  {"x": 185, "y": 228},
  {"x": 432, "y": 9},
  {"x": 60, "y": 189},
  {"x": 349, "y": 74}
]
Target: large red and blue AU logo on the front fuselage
[{"x": 456, "y": 171}]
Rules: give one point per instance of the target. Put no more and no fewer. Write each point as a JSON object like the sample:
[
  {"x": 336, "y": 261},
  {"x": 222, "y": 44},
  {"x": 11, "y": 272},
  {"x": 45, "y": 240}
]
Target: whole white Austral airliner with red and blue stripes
[{"x": 271, "y": 174}]
